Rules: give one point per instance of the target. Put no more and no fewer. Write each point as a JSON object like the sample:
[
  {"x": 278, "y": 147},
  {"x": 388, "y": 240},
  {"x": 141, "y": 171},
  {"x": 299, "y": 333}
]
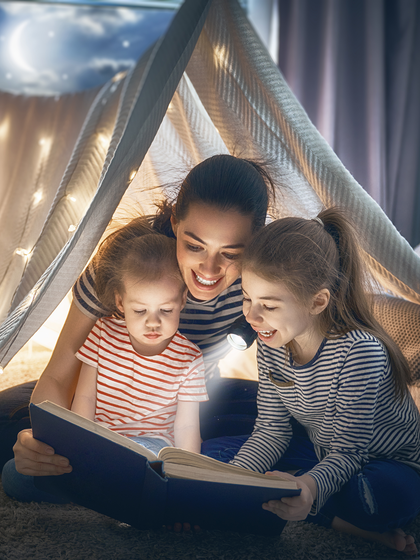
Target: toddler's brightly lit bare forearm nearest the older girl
[{"x": 187, "y": 426}]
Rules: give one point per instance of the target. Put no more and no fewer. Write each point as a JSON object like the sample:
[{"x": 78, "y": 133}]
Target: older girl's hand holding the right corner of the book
[{"x": 294, "y": 508}]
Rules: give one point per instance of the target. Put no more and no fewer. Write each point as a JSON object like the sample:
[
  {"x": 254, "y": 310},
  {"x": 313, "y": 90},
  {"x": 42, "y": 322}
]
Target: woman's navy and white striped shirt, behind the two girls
[{"x": 203, "y": 322}]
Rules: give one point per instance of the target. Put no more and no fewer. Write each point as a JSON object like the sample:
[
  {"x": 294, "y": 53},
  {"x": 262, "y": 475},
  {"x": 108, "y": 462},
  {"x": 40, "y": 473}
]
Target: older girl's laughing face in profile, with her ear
[{"x": 279, "y": 318}]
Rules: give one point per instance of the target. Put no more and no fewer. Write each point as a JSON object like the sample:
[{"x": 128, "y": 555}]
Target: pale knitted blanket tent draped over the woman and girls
[{"x": 209, "y": 86}]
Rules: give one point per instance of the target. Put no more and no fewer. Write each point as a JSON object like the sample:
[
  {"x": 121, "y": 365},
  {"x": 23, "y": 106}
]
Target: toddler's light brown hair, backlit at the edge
[{"x": 135, "y": 250}]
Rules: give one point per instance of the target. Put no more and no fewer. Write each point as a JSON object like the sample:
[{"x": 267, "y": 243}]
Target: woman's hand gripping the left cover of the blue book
[{"x": 34, "y": 458}]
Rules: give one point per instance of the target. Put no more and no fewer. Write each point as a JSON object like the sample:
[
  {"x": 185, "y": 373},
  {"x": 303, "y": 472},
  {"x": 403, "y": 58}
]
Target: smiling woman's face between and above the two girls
[{"x": 210, "y": 243}]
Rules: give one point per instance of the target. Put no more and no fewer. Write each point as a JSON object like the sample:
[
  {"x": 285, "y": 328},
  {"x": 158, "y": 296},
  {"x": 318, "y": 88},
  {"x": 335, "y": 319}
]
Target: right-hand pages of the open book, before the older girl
[{"x": 174, "y": 470}]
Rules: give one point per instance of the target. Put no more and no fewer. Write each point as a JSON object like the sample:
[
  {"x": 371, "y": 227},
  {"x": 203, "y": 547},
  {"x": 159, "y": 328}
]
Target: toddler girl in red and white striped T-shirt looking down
[{"x": 139, "y": 375}]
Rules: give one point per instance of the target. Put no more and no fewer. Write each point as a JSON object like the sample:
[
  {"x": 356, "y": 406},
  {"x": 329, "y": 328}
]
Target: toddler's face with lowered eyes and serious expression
[{"x": 151, "y": 310}]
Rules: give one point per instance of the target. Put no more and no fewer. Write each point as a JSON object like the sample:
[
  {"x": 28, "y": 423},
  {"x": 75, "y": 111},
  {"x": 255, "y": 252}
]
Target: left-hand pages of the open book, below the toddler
[{"x": 87, "y": 424}]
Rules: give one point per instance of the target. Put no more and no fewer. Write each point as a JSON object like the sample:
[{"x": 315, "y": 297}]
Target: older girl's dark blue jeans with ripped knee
[{"x": 383, "y": 496}]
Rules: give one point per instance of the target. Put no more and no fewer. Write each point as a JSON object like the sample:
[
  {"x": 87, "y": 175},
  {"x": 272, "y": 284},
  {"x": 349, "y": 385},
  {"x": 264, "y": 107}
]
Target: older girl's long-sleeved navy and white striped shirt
[{"x": 345, "y": 399}]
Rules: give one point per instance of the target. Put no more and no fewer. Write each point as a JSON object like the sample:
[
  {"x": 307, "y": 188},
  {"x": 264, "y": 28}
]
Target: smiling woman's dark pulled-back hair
[{"x": 226, "y": 182}]
